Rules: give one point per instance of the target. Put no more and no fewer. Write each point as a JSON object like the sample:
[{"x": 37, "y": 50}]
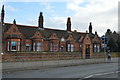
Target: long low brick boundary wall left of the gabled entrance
[{"x": 24, "y": 56}]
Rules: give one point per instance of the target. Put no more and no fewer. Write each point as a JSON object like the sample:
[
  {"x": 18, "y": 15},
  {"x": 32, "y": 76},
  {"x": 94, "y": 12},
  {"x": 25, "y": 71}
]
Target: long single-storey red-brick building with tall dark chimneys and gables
[{"x": 38, "y": 38}]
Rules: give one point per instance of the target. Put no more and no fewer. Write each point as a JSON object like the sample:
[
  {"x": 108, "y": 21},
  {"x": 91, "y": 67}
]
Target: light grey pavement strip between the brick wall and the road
[{"x": 13, "y": 66}]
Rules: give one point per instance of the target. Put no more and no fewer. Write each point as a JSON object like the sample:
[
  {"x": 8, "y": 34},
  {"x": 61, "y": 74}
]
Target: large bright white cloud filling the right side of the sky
[{"x": 103, "y": 14}]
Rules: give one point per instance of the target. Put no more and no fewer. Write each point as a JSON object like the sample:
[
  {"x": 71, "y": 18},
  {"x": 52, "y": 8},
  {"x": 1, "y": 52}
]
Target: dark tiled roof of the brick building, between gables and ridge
[{"x": 29, "y": 31}]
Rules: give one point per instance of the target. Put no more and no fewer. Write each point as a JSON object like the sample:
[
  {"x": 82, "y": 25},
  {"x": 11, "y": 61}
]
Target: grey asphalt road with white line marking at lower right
[{"x": 81, "y": 71}]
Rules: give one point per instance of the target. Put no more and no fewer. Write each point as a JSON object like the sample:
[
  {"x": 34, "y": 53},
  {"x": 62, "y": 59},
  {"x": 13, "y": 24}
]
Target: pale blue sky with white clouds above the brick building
[{"x": 102, "y": 13}]
